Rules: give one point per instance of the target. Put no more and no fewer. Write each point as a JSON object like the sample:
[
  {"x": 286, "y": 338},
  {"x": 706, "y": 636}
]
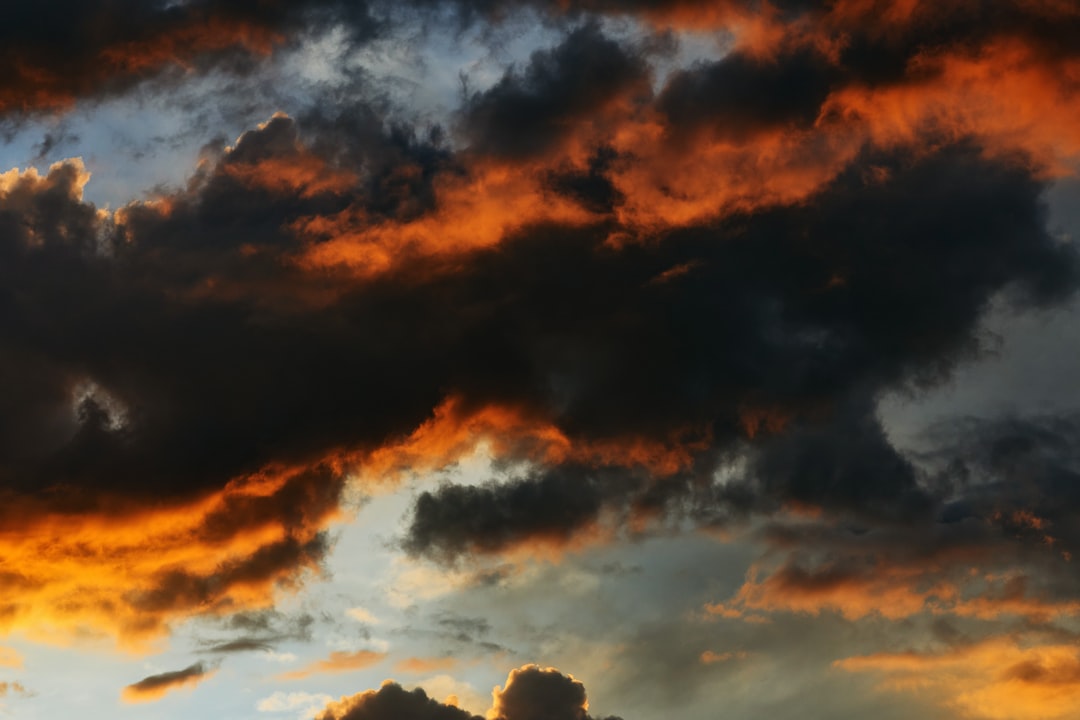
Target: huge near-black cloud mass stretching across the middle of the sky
[{"x": 180, "y": 358}]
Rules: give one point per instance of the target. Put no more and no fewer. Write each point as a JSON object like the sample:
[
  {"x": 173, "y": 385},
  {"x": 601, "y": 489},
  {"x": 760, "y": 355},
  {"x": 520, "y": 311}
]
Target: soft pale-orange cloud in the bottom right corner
[{"x": 997, "y": 680}]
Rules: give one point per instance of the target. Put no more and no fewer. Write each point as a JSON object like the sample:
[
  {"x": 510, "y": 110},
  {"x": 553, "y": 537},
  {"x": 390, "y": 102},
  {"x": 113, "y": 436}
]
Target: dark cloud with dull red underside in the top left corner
[{"x": 66, "y": 51}]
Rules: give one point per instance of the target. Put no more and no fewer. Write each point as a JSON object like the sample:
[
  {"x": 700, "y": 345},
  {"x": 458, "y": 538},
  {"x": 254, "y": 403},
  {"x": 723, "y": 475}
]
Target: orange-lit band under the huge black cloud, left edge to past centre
[{"x": 127, "y": 573}]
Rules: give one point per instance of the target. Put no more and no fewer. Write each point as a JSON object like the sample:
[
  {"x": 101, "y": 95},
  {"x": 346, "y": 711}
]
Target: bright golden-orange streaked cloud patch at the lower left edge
[{"x": 126, "y": 572}]
